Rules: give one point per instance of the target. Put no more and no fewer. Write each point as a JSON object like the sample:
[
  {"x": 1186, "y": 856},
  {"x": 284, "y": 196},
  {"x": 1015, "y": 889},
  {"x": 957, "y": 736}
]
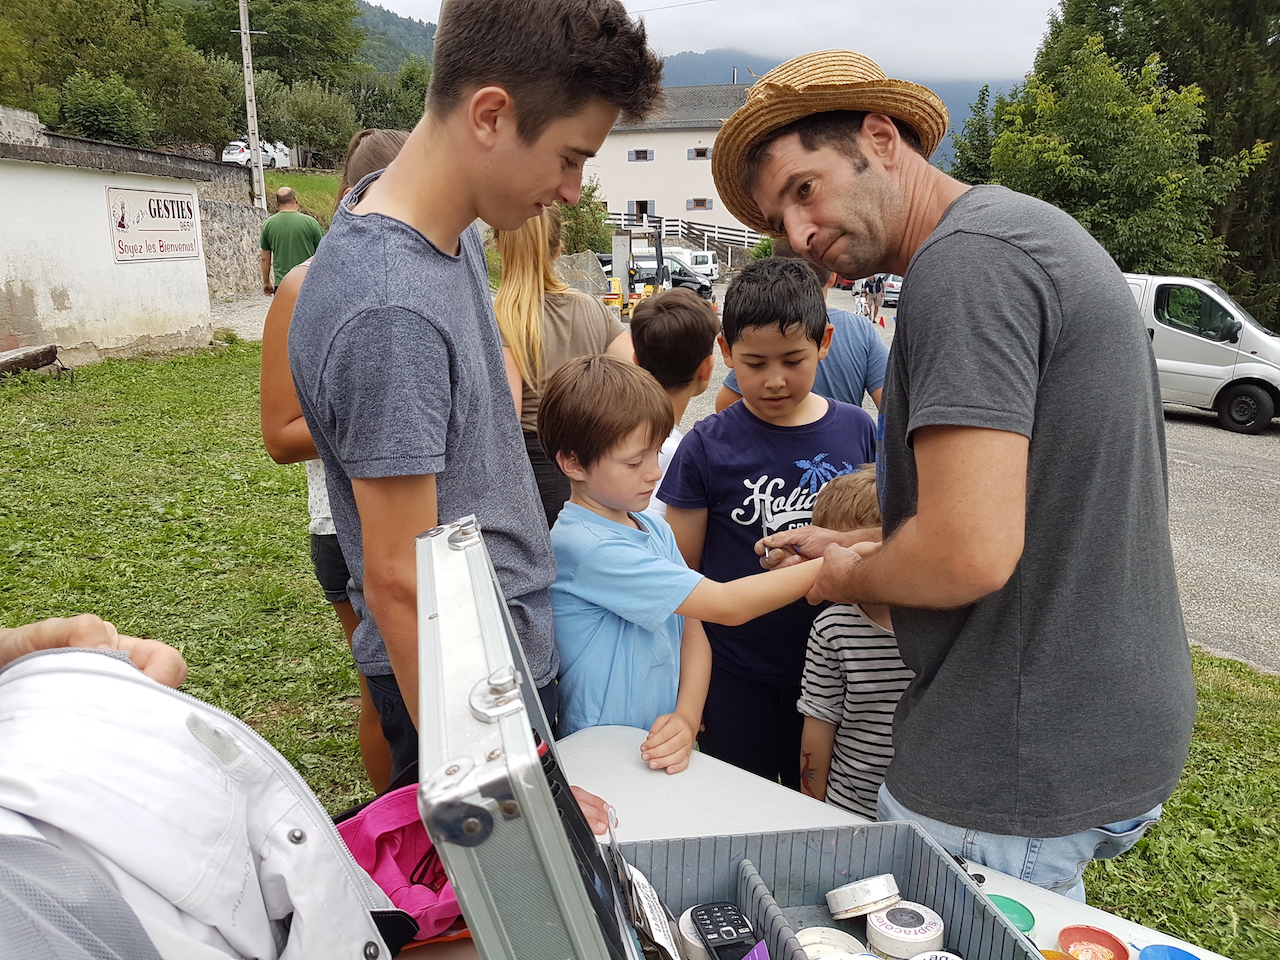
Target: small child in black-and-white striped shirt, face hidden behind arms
[{"x": 853, "y": 675}]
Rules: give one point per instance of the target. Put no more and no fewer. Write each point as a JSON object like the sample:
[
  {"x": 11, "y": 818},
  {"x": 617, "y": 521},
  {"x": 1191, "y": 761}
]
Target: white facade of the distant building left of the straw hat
[{"x": 670, "y": 180}]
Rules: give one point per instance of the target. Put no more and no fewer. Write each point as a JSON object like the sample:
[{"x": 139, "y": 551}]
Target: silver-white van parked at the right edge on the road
[{"x": 1210, "y": 351}]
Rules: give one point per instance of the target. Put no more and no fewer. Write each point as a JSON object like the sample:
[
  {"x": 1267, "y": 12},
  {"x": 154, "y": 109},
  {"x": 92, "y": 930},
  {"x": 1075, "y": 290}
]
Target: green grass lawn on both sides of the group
[{"x": 141, "y": 492}]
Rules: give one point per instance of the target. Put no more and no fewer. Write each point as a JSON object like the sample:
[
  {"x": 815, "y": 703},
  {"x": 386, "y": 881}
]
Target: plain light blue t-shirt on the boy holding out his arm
[{"x": 618, "y": 632}]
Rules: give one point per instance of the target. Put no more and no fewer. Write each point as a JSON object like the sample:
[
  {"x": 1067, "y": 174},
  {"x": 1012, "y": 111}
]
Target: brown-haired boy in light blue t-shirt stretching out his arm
[{"x": 628, "y": 610}]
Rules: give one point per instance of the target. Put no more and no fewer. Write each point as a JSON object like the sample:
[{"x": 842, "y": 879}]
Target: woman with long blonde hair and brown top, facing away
[{"x": 545, "y": 324}]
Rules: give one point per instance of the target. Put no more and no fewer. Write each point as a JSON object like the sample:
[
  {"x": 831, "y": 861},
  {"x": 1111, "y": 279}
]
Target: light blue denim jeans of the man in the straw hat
[{"x": 1054, "y": 863}]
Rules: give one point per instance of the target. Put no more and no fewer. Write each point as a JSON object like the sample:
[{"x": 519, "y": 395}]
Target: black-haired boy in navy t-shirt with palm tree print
[{"x": 751, "y": 472}]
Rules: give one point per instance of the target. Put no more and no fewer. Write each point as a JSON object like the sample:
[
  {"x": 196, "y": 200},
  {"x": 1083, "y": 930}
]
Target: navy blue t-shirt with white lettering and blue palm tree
[{"x": 756, "y": 478}]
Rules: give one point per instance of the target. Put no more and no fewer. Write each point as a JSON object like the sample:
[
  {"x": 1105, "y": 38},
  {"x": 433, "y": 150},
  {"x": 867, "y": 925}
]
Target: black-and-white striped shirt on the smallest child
[{"x": 854, "y": 678}]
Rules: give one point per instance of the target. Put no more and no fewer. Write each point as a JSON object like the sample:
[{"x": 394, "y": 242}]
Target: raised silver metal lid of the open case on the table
[{"x": 524, "y": 863}]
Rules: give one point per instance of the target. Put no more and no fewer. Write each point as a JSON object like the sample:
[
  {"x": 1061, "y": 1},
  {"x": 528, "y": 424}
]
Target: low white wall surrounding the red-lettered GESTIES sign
[{"x": 60, "y": 278}]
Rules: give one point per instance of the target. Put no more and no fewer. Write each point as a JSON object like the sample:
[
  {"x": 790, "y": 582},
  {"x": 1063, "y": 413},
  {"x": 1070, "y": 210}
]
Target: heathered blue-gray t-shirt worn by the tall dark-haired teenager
[{"x": 399, "y": 367}]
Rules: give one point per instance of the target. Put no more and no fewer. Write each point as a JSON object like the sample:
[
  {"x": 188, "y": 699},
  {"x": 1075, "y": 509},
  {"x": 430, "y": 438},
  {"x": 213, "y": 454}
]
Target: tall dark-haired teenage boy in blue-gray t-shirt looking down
[{"x": 395, "y": 349}]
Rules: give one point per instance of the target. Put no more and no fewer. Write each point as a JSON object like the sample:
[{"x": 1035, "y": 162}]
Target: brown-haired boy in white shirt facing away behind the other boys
[{"x": 674, "y": 336}]
